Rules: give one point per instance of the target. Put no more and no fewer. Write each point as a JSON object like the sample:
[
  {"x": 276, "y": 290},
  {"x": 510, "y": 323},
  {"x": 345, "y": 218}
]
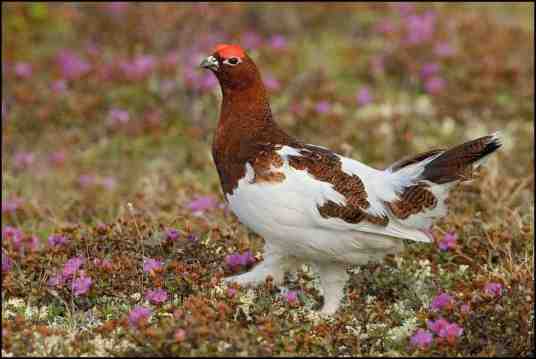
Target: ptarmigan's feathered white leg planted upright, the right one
[{"x": 333, "y": 278}]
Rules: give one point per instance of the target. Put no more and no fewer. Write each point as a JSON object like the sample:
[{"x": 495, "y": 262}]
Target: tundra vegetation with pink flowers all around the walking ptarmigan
[{"x": 115, "y": 234}]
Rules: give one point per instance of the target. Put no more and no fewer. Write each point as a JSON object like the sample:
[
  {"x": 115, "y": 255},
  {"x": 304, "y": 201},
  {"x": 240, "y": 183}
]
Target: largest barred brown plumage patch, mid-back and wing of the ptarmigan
[{"x": 325, "y": 166}]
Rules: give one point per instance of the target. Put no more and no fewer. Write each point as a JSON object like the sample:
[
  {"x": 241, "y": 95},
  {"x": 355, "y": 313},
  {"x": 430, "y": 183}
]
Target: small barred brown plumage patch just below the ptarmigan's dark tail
[{"x": 412, "y": 201}]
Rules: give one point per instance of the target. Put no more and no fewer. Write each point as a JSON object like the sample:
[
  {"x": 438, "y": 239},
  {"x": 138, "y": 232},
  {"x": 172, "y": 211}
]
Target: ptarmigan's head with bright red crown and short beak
[{"x": 233, "y": 67}]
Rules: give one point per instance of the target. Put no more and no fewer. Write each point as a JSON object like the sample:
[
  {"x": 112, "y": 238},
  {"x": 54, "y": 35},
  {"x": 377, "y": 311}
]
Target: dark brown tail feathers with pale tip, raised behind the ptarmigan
[{"x": 453, "y": 164}]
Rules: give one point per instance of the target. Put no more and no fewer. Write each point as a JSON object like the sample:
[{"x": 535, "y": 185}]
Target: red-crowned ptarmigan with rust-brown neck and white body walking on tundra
[{"x": 314, "y": 206}]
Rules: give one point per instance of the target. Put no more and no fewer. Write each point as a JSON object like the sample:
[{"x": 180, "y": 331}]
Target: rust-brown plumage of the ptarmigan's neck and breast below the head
[{"x": 246, "y": 126}]
